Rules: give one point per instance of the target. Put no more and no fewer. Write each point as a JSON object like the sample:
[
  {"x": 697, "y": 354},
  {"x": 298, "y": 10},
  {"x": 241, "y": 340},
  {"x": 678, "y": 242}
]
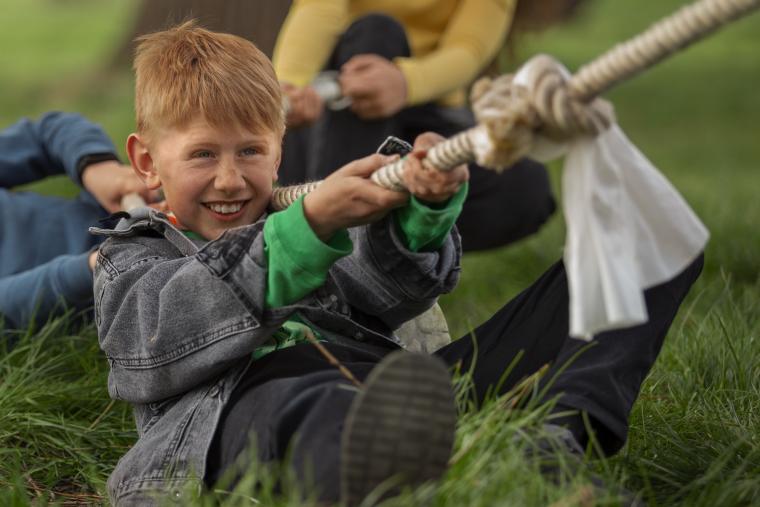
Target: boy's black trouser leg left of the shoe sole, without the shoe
[{"x": 270, "y": 415}]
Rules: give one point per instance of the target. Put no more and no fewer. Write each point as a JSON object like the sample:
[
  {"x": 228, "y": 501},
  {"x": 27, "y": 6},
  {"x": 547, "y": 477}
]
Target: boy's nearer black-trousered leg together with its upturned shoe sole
[{"x": 338, "y": 436}]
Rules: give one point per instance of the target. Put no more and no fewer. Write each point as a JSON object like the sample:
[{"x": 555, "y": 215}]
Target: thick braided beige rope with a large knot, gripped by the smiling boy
[{"x": 554, "y": 103}]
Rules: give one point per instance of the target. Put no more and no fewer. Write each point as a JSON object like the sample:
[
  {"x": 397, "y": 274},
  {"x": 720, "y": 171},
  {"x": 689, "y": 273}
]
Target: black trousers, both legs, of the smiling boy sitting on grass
[{"x": 294, "y": 401}]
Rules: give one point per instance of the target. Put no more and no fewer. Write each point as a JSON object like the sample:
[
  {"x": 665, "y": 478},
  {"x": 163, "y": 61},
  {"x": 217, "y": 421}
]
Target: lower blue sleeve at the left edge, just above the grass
[{"x": 49, "y": 289}]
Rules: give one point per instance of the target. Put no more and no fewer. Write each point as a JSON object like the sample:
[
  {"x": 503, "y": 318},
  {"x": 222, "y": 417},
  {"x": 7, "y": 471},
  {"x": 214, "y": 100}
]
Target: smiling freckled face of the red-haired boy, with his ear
[{"x": 213, "y": 178}]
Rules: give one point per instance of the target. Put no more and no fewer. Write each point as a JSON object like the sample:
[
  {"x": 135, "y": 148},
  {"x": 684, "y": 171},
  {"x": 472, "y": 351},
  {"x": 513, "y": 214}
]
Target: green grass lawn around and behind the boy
[{"x": 695, "y": 431}]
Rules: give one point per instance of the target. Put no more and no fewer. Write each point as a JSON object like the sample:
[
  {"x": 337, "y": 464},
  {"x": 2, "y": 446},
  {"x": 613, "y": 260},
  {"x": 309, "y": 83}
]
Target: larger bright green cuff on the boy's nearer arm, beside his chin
[{"x": 297, "y": 260}]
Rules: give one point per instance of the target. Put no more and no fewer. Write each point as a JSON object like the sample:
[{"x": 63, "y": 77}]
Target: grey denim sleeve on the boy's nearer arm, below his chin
[{"x": 169, "y": 321}]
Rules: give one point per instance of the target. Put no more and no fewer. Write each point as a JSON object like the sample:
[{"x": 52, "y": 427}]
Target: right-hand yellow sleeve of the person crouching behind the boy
[{"x": 473, "y": 36}]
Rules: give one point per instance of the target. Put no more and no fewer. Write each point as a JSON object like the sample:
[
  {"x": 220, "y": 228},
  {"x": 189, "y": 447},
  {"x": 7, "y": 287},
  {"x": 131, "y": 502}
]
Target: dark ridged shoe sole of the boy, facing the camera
[{"x": 399, "y": 430}]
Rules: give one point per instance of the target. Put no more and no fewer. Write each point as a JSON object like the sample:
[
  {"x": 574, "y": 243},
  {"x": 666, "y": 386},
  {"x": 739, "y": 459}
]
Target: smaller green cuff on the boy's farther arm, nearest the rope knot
[{"x": 424, "y": 227}]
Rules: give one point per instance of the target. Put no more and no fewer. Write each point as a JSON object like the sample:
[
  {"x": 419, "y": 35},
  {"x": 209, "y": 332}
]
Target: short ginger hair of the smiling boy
[{"x": 187, "y": 71}]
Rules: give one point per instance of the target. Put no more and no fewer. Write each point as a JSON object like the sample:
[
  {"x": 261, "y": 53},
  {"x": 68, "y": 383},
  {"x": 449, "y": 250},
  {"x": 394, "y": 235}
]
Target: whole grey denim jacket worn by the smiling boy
[{"x": 178, "y": 322}]
